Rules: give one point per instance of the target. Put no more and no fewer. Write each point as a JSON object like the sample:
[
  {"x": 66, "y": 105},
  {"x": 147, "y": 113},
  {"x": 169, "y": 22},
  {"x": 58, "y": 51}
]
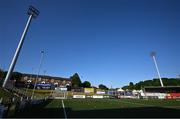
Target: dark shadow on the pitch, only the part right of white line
[{"x": 139, "y": 112}]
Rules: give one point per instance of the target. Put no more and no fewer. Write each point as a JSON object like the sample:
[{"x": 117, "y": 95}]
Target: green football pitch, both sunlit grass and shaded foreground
[{"x": 89, "y": 108}]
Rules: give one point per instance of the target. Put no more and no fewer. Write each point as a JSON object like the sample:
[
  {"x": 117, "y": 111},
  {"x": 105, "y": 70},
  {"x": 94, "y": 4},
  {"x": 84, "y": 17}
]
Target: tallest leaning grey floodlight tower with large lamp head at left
[{"x": 33, "y": 13}]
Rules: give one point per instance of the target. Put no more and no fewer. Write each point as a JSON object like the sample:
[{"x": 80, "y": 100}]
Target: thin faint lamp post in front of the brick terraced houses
[{"x": 40, "y": 63}]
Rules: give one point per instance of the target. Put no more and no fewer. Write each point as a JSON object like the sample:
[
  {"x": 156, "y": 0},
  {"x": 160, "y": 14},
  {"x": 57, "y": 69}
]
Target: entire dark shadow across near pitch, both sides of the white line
[{"x": 39, "y": 111}]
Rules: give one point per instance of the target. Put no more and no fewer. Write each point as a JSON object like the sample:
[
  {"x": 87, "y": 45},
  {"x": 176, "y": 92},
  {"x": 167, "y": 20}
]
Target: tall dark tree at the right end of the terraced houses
[{"x": 75, "y": 80}]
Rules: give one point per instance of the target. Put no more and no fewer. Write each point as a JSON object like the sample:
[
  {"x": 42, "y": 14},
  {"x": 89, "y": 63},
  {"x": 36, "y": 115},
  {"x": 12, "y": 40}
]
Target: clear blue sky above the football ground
[{"x": 105, "y": 41}]
